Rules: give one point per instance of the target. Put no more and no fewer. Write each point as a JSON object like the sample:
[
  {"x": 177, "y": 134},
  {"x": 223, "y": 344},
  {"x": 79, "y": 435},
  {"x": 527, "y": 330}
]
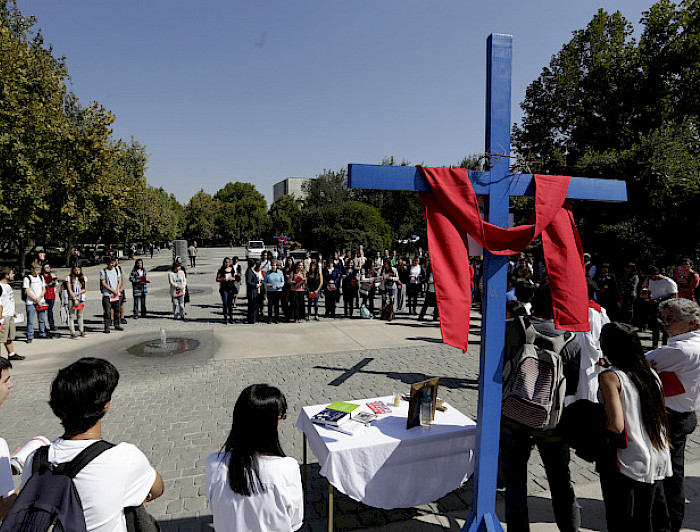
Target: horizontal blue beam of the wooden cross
[{"x": 384, "y": 177}]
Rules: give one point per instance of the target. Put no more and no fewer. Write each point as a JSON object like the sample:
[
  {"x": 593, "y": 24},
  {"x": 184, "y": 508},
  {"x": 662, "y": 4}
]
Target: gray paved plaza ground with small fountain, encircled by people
[{"x": 177, "y": 408}]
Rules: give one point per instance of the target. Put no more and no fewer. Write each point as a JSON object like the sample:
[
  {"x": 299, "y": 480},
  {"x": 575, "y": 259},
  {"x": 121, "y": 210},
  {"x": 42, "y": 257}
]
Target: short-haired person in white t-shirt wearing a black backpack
[{"x": 109, "y": 478}]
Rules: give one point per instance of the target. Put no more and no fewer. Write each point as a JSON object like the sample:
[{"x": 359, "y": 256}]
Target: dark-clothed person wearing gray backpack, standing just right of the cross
[{"x": 517, "y": 437}]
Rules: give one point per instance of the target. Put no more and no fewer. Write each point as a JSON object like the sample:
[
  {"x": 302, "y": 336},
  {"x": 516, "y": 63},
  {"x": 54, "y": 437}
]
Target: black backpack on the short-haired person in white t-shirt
[{"x": 49, "y": 499}]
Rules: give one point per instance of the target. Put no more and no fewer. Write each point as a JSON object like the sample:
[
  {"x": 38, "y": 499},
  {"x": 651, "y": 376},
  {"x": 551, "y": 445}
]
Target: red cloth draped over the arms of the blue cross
[{"x": 452, "y": 212}]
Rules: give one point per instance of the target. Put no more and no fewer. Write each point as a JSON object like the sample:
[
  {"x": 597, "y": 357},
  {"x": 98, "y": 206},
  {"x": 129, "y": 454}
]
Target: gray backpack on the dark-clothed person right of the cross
[{"x": 533, "y": 380}]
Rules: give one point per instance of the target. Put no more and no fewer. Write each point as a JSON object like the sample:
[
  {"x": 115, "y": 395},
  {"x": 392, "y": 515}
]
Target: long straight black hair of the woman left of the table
[{"x": 253, "y": 433}]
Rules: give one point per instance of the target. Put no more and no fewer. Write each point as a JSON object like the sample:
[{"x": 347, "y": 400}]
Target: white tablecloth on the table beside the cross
[{"x": 386, "y": 466}]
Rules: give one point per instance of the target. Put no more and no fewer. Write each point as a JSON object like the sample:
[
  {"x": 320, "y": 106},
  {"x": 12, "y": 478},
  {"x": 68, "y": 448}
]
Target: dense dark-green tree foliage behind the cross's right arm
[{"x": 611, "y": 107}]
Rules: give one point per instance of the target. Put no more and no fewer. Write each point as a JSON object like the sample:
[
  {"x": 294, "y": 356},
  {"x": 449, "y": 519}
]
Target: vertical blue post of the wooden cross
[{"x": 499, "y": 58}]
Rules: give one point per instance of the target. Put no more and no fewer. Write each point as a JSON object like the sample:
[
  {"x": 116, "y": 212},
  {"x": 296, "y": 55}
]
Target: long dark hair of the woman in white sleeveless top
[{"x": 621, "y": 346}]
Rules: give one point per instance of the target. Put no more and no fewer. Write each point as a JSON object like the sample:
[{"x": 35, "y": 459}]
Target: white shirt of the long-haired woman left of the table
[{"x": 279, "y": 508}]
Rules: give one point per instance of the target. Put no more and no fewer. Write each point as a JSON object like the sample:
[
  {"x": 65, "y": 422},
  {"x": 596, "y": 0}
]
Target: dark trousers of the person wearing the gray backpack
[{"x": 516, "y": 445}]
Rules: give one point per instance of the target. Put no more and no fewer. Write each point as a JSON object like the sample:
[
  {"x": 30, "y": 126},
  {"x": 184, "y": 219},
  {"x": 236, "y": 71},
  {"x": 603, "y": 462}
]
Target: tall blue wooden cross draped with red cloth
[{"x": 497, "y": 185}]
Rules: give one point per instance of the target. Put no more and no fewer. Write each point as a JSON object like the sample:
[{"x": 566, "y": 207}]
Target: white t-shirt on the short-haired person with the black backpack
[{"x": 119, "y": 477}]
